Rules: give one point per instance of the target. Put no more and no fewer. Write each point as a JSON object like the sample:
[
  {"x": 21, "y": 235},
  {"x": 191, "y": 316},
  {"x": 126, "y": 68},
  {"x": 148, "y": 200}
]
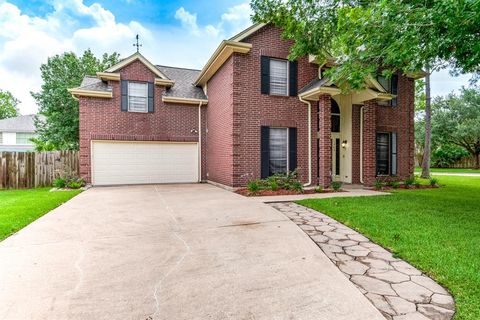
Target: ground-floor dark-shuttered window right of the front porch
[{"x": 386, "y": 153}]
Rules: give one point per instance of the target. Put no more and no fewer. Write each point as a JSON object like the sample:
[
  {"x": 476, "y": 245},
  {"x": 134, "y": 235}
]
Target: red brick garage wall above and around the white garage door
[{"x": 102, "y": 119}]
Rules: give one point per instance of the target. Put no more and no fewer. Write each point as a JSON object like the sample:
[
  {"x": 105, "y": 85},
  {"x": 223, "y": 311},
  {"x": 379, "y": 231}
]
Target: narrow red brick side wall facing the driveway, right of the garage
[{"x": 220, "y": 125}]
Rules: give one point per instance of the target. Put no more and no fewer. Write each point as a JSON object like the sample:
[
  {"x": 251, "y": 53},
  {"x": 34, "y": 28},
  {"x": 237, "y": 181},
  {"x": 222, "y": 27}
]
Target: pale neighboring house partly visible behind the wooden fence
[{"x": 16, "y": 132}]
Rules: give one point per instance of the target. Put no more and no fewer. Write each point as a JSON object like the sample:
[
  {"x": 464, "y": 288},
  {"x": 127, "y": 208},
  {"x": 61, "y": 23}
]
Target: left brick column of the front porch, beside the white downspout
[{"x": 324, "y": 141}]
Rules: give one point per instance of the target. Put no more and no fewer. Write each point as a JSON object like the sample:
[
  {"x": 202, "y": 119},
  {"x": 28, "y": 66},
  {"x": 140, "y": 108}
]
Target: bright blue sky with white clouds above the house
[{"x": 179, "y": 33}]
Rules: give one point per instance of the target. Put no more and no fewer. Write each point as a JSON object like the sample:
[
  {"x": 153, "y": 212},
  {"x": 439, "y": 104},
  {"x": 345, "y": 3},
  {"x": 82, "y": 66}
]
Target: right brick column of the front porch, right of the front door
[{"x": 369, "y": 142}]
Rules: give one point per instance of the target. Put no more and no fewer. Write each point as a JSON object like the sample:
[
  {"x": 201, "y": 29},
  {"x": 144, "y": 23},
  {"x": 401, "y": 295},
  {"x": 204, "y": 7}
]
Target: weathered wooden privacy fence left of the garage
[{"x": 35, "y": 169}]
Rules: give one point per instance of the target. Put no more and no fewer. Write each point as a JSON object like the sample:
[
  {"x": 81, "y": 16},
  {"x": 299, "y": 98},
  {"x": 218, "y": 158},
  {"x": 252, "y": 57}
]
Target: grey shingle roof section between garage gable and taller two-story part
[{"x": 184, "y": 79}]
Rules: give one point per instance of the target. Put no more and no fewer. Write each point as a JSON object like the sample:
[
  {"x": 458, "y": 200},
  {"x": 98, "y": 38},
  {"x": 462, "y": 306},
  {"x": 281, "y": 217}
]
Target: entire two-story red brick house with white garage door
[{"x": 249, "y": 113}]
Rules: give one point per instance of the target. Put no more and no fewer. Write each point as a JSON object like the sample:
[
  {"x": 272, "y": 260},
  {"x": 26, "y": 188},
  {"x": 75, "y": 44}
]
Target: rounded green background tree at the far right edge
[{"x": 456, "y": 120}]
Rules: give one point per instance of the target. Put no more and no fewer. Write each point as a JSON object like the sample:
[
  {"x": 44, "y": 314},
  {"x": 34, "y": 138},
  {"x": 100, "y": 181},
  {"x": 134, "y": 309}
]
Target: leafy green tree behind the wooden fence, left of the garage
[{"x": 61, "y": 72}]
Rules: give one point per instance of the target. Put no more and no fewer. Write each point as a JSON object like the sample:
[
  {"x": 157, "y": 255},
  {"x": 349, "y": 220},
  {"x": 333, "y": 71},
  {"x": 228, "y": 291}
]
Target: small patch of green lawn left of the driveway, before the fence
[{"x": 19, "y": 208}]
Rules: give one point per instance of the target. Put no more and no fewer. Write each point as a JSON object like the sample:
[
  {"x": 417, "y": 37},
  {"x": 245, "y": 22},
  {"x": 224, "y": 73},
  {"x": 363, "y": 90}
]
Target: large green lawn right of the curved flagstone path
[{"x": 437, "y": 230}]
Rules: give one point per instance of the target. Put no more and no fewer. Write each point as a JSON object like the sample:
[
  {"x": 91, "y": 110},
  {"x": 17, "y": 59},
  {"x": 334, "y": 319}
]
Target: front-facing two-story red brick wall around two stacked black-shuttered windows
[{"x": 251, "y": 109}]
